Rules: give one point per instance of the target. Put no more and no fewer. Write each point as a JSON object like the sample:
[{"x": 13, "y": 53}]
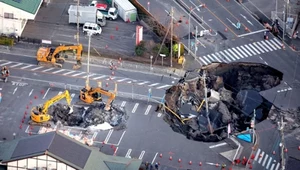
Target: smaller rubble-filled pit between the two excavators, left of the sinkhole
[{"x": 89, "y": 116}]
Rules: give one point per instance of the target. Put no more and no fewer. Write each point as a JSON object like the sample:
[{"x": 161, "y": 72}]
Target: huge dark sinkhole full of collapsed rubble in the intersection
[{"x": 233, "y": 97}]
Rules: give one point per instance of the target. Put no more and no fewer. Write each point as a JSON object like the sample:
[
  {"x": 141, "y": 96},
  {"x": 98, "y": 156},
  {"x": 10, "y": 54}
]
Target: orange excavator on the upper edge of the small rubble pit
[{"x": 90, "y": 95}]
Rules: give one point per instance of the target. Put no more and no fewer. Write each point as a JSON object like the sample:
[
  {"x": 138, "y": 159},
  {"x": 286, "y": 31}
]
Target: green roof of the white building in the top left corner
[{"x": 30, "y": 6}]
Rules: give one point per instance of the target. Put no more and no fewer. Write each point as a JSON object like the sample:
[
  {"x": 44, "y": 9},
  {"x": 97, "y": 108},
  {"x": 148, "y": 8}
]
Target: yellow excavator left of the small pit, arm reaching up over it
[{"x": 39, "y": 114}]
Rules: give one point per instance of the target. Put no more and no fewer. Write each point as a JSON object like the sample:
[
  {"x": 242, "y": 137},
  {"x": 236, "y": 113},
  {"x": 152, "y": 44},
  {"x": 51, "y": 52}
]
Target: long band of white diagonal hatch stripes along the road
[{"x": 81, "y": 74}]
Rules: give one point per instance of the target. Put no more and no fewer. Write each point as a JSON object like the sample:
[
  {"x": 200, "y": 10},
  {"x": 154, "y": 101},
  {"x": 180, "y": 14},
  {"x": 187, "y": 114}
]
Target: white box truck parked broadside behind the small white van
[{"x": 86, "y": 14}]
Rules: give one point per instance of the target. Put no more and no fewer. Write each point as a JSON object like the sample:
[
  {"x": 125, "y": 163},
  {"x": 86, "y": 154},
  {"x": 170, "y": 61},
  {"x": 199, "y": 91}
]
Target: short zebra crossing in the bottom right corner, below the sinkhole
[{"x": 266, "y": 161}]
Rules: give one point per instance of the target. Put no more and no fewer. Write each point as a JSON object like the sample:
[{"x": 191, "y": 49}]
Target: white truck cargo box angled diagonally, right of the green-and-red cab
[{"x": 126, "y": 10}]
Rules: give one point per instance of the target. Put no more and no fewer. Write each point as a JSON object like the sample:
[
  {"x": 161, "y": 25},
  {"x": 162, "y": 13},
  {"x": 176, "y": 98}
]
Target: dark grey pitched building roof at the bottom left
[{"x": 64, "y": 149}]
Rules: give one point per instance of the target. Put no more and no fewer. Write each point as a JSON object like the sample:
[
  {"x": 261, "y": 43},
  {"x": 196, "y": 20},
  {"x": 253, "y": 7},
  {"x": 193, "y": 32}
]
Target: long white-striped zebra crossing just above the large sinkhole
[{"x": 243, "y": 51}]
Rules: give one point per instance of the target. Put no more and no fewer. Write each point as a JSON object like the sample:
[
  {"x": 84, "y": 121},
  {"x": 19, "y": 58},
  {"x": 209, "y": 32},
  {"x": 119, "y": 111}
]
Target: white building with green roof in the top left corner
[{"x": 14, "y": 15}]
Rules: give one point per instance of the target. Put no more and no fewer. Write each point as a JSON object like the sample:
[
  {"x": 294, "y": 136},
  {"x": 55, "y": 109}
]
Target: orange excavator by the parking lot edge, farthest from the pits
[{"x": 48, "y": 56}]
